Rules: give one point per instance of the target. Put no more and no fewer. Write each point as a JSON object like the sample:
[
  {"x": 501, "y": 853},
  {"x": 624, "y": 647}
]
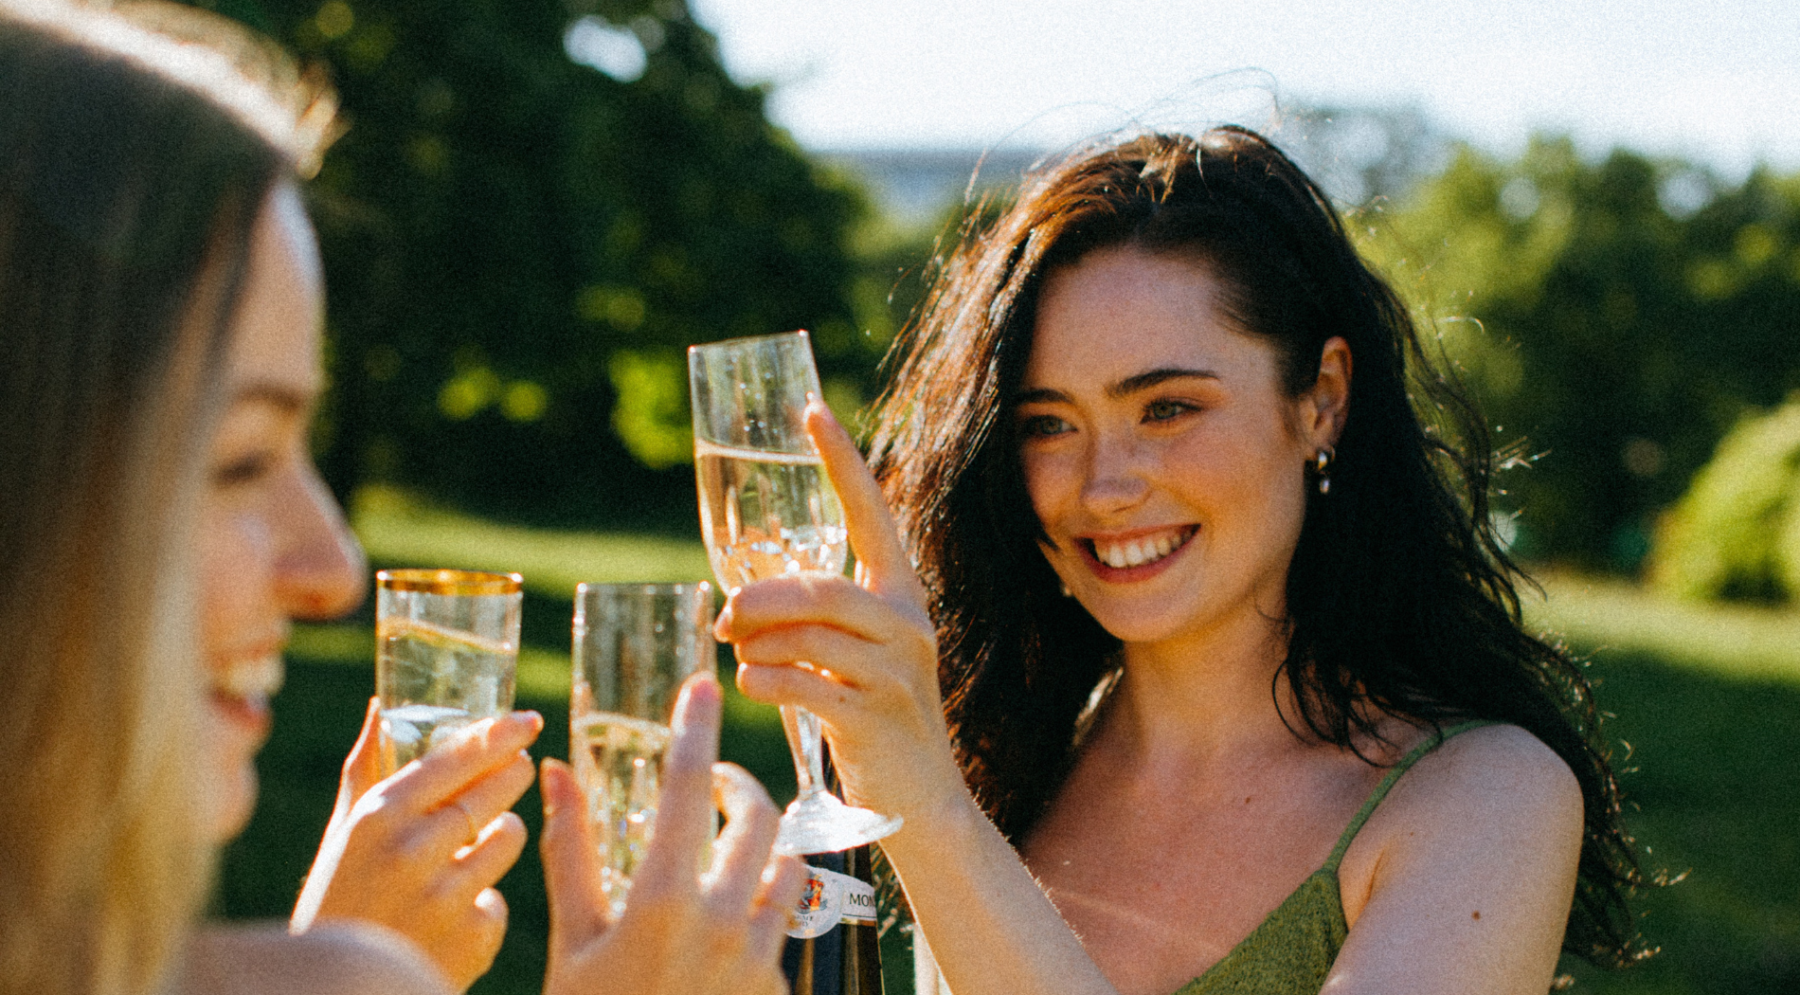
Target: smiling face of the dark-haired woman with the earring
[{"x": 1162, "y": 456}]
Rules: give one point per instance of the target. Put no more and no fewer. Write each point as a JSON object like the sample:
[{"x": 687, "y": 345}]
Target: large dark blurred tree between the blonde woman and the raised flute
[{"x": 519, "y": 247}]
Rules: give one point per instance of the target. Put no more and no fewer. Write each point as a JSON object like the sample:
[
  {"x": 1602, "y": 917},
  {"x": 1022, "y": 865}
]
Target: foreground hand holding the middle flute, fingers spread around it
[{"x": 683, "y": 933}]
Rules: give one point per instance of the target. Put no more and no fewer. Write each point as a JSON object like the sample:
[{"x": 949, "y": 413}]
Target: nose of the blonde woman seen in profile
[{"x": 321, "y": 569}]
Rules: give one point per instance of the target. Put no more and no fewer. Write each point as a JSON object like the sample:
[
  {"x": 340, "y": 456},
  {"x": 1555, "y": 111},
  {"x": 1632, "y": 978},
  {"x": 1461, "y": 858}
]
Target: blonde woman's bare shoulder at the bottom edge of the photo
[{"x": 328, "y": 960}]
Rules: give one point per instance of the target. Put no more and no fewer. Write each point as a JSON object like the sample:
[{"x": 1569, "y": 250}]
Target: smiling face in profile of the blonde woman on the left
[{"x": 274, "y": 544}]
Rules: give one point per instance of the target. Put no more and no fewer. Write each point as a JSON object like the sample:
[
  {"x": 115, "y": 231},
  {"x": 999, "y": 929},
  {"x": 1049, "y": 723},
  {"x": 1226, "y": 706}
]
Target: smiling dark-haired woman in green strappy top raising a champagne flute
[{"x": 1200, "y": 667}]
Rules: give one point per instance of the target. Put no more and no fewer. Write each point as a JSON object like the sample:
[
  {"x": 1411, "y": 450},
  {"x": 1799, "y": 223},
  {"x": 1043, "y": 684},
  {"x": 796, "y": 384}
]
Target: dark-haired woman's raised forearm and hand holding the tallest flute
[{"x": 872, "y": 676}]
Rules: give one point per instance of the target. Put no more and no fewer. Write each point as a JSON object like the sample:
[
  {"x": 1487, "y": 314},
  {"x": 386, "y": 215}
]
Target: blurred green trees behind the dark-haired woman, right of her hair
[{"x": 1626, "y": 314}]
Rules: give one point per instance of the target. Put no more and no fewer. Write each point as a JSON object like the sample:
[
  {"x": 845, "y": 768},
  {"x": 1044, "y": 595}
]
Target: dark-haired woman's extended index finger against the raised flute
[{"x": 874, "y": 535}]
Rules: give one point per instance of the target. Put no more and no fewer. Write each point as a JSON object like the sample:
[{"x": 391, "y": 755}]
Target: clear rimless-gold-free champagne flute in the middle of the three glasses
[{"x": 634, "y": 647}]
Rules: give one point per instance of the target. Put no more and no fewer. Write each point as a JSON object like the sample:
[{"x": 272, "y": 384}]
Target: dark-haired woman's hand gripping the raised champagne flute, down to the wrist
[{"x": 870, "y": 652}]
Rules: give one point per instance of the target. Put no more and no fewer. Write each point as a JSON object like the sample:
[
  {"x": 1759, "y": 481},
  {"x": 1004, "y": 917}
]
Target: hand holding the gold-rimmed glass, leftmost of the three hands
[{"x": 422, "y": 850}]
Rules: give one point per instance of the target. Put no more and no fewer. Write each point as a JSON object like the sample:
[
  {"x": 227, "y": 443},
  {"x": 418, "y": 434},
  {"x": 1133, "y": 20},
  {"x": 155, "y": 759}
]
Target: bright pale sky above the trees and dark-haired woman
[{"x": 1711, "y": 80}]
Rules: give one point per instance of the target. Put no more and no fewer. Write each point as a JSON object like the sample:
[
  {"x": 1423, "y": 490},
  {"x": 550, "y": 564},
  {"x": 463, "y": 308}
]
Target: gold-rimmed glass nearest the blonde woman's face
[{"x": 447, "y": 649}]
